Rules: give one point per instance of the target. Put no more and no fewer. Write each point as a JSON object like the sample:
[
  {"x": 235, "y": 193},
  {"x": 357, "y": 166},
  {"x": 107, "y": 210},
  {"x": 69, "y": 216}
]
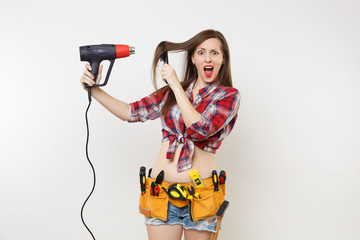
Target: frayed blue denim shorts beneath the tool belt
[{"x": 177, "y": 215}]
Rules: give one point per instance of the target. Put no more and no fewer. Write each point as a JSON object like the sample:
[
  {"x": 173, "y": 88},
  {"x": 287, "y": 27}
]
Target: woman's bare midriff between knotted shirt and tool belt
[{"x": 202, "y": 161}]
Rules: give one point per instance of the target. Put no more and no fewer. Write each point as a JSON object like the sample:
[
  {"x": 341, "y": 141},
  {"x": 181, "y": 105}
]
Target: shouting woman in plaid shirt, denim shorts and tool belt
[{"x": 197, "y": 114}]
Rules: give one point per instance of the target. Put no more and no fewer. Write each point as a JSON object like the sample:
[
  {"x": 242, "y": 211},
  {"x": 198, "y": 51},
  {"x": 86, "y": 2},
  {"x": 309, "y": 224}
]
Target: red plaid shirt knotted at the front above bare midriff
[{"x": 217, "y": 104}]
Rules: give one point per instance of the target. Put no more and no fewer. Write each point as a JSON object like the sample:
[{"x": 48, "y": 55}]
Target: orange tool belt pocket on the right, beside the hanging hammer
[{"x": 207, "y": 205}]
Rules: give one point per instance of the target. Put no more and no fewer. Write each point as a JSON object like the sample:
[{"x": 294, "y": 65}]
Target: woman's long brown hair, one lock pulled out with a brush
[{"x": 190, "y": 70}]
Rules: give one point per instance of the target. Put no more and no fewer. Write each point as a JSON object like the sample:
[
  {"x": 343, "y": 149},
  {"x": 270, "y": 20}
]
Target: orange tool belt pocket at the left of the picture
[{"x": 153, "y": 206}]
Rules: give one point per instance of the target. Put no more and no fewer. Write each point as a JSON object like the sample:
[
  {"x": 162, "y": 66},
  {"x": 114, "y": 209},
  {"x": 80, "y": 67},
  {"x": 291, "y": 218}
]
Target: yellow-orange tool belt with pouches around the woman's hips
[{"x": 204, "y": 207}]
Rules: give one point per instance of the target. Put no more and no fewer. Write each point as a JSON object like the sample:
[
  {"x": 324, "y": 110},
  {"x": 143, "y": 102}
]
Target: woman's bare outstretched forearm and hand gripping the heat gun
[{"x": 119, "y": 108}]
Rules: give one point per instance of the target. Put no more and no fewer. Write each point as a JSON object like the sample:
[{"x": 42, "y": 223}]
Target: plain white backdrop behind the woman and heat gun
[{"x": 292, "y": 159}]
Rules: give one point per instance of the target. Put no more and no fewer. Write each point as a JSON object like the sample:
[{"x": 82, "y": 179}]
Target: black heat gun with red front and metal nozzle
[{"x": 95, "y": 54}]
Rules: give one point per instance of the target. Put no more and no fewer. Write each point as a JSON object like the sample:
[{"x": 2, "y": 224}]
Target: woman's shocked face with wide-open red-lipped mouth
[{"x": 208, "y": 59}]
